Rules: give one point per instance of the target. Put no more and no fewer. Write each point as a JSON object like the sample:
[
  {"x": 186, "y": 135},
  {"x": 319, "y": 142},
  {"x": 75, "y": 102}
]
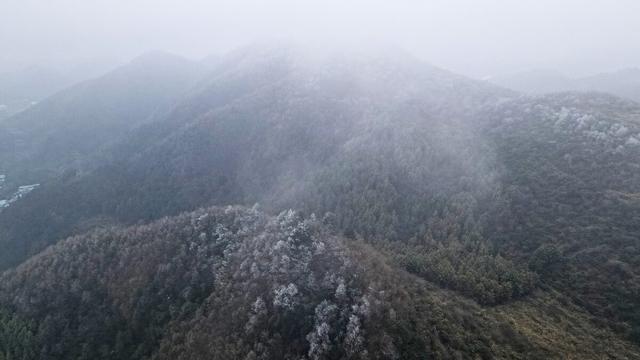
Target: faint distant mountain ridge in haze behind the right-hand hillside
[{"x": 624, "y": 83}]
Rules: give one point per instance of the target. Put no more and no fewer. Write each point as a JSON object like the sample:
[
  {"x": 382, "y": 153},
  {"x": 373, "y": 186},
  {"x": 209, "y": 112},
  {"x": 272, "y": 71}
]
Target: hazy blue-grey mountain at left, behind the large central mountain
[{"x": 60, "y": 132}]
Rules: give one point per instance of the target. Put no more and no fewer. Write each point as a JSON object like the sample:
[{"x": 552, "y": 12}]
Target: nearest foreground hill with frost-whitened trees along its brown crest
[{"x": 233, "y": 283}]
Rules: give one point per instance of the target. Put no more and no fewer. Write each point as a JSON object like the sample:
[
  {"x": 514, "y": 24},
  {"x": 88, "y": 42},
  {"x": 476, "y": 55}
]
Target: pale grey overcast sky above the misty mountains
[{"x": 473, "y": 37}]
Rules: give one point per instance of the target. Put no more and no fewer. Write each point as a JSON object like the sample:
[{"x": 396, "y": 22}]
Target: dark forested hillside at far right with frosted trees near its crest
[{"x": 572, "y": 178}]
